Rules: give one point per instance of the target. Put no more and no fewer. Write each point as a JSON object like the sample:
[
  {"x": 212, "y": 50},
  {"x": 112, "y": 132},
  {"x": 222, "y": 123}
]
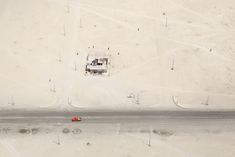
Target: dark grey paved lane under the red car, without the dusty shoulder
[{"x": 115, "y": 117}]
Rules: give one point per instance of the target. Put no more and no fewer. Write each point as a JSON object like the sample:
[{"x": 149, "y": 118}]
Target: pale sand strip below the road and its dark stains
[{"x": 105, "y": 142}]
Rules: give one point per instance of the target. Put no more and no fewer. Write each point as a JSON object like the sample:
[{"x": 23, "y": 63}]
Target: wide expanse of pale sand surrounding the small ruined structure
[{"x": 40, "y": 41}]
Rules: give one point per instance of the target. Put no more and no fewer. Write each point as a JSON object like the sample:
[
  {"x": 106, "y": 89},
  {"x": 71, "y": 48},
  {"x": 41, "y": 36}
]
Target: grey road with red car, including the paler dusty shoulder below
[{"x": 121, "y": 121}]
